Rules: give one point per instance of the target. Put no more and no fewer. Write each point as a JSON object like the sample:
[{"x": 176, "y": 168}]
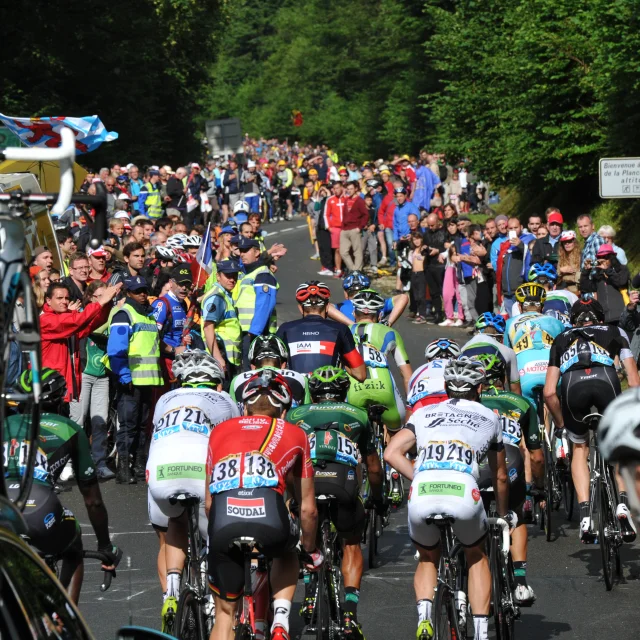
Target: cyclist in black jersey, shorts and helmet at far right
[{"x": 582, "y": 360}]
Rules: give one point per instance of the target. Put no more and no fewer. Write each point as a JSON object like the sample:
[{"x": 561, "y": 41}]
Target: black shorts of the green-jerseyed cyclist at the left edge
[{"x": 51, "y": 528}]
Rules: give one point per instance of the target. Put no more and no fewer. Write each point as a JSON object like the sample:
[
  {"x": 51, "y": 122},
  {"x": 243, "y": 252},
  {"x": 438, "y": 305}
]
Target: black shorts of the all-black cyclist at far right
[{"x": 582, "y": 389}]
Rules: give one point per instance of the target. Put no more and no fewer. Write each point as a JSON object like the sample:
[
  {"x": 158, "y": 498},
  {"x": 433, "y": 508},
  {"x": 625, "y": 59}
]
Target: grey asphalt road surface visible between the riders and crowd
[{"x": 572, "y": 601}]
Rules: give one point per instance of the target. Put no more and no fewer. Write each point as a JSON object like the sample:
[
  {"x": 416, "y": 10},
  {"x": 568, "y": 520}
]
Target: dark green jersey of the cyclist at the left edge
[{"x": 60, "y": 440}]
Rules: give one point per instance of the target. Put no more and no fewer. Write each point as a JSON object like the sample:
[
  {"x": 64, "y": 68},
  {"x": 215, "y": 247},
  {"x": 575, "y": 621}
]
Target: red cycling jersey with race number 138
[{"x": 255, "y": 452}]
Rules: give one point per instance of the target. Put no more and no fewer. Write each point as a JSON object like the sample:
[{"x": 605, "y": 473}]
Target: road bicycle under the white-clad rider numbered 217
[{"x": 194, "y": 617}]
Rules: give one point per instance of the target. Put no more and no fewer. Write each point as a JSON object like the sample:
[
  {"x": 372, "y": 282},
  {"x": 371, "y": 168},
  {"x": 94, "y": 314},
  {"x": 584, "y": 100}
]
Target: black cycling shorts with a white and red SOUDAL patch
[{"x": 259, "y": 513}]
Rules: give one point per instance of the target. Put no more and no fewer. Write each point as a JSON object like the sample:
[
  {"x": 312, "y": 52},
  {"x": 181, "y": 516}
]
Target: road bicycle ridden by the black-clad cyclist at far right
[{"x": 603, "y": 499}]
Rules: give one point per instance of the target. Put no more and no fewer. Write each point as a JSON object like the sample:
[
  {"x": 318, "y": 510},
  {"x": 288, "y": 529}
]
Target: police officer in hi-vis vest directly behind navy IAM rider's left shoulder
[{"x": 254, "y": 296}]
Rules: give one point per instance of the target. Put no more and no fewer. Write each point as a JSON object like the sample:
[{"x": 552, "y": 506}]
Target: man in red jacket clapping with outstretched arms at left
[{"x": 61, "y": 331}]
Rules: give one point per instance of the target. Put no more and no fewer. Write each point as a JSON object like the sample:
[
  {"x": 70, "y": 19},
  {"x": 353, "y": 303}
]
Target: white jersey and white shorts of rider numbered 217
[{"x": 182, "y": 422}]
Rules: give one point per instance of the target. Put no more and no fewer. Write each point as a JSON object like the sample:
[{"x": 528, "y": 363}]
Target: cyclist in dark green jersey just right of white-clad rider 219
[{"x": 519, "y": 428}]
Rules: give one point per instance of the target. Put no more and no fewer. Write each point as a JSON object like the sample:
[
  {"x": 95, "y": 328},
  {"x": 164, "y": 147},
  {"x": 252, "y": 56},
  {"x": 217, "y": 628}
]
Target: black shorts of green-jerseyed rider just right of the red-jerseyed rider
[{"x": 341, "y": 481}]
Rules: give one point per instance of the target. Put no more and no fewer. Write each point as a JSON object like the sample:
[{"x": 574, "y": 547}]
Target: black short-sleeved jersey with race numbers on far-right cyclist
[{"x": 585, "y": 347}]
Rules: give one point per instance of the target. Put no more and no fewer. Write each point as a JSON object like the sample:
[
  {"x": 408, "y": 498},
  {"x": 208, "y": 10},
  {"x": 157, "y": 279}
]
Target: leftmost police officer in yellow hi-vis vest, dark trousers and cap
[{"x": 133, "y": 356}]
